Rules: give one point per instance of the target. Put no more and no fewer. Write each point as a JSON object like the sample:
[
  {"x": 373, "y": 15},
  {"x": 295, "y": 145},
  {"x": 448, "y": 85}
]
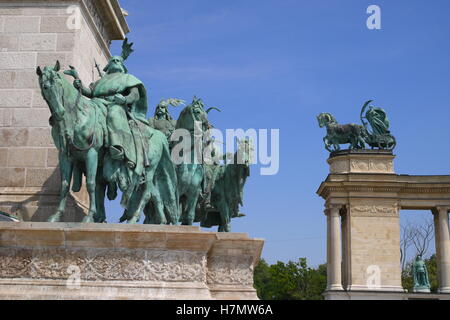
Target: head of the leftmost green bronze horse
[{"x": 52, "y": 90}]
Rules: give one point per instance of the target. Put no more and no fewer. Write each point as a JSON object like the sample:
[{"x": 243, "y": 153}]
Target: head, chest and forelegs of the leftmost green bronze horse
[{"x": 79, "y": 133}]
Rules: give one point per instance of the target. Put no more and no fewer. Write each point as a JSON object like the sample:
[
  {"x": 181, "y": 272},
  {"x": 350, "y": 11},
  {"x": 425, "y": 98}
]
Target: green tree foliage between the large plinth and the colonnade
[{"x": 290, "y": 281}]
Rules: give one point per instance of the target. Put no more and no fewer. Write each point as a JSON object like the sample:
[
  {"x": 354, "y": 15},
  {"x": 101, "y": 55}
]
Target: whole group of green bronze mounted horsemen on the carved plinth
[{"x": 101, "y": 132}]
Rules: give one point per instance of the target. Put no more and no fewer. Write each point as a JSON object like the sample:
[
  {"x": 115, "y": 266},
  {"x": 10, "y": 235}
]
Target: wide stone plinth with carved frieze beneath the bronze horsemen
[{"x": 102, "y": 261}]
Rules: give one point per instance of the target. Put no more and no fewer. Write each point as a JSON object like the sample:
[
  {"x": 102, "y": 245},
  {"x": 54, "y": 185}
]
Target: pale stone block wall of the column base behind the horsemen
[{"x": 37, "y": 33}]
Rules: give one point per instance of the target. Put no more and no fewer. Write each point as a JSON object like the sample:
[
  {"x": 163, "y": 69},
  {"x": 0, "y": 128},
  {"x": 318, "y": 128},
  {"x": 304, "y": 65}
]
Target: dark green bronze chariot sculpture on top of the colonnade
[{"x": 379, "y": 136}]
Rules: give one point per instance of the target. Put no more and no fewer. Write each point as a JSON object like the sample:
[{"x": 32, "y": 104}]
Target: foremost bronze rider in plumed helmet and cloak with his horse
[{"x": 102, "y": 131}]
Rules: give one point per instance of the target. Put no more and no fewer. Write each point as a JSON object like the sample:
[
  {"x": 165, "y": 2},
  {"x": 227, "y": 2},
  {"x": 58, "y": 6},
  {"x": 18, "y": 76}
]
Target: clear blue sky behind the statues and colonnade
[{"x": 278, "y": 64}]
